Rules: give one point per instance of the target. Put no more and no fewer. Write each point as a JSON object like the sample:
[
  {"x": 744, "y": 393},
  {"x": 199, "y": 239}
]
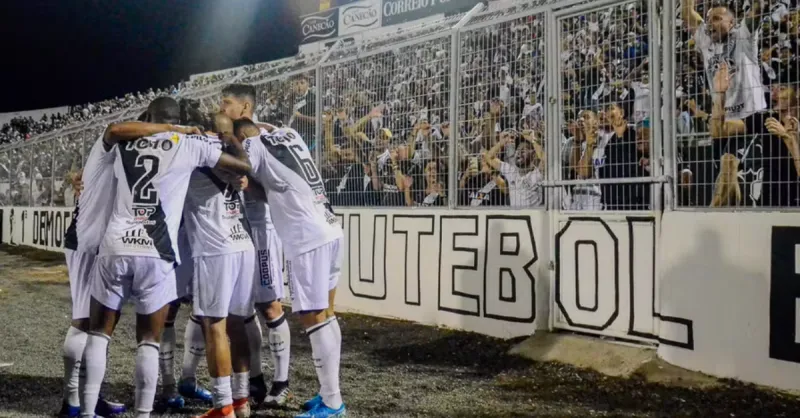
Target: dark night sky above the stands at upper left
[{"x": 67, "y": 52}]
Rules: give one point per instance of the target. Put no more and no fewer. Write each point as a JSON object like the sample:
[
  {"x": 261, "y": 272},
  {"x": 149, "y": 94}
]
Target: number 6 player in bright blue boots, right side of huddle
[{"x": 313, "y": 242}]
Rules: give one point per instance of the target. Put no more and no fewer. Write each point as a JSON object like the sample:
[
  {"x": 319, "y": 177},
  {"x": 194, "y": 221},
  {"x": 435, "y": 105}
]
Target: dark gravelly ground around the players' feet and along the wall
[{"x": 389, "y": 369}]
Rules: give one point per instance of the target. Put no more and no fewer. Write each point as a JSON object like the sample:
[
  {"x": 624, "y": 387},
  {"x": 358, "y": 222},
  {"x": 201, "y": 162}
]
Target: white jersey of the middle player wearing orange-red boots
[{"x": 213, "y": 214}]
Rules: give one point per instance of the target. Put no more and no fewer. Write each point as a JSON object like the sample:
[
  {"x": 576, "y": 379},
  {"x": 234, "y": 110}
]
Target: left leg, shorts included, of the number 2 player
[{"x": 110, "y": 286}]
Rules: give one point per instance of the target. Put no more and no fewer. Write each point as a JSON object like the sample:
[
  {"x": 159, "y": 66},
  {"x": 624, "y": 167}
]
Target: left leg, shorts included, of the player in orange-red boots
[{"x": 212, "y": 295}]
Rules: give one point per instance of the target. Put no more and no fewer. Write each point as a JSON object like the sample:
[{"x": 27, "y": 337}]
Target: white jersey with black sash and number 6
[{"x": 282, "y": 163}]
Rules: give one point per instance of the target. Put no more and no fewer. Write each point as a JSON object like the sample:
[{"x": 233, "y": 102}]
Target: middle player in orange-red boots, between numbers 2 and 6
[{"x": 223, "y": 279}]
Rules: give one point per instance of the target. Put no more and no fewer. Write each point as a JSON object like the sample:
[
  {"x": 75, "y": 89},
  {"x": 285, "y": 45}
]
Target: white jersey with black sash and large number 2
[{"x": 152, "y": 179}]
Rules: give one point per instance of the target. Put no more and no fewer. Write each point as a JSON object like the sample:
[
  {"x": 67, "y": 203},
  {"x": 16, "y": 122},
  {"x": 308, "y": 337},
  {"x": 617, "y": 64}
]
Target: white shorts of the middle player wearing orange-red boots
[{"x": 223, "y": 284}]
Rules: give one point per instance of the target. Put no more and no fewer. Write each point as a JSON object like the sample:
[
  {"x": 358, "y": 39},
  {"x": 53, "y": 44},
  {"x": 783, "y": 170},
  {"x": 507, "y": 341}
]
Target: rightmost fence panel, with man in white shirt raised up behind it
[{"x": 736, "y": 104}]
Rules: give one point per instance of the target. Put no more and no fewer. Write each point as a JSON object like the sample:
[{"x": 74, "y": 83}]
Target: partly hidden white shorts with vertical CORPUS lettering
[{"x": 268, "y": 281}]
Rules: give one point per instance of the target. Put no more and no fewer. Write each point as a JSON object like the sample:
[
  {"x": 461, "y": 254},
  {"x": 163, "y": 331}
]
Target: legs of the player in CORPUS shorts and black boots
[{"x": 268, "y": 292}]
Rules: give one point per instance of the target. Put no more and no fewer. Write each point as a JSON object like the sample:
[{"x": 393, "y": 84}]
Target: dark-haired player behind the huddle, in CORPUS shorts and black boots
[{"x": 238, "y": 102}]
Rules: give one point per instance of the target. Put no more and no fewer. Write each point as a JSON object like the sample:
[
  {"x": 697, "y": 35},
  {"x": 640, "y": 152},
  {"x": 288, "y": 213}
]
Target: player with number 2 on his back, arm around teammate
[{"x": 137, "y": 256}]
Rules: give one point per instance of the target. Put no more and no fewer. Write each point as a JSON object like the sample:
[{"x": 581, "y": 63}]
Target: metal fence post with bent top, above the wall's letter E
[{"x": 455, "y": 129}]
